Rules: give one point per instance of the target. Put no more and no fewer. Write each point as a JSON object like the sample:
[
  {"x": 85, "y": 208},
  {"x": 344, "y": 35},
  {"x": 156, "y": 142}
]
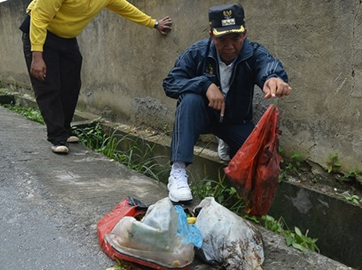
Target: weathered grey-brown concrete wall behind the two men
[{"x": 318, "y": 42}]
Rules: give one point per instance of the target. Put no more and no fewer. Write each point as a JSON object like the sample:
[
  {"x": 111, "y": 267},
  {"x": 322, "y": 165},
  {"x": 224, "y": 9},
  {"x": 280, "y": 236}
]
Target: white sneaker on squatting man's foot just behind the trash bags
[{"x": 178, "y": 188}]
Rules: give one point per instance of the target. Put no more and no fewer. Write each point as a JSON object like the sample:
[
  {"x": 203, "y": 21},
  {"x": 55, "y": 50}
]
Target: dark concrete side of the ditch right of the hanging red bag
[{"x": 326, "y": 216}]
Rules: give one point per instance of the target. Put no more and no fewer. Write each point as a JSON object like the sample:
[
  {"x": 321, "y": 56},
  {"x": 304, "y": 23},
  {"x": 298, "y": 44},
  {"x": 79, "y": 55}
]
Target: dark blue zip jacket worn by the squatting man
[{"x": 197, "y": 68}]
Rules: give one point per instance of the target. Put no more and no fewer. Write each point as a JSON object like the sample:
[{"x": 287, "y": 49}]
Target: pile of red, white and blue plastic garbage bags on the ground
[{"x": 166, "y": 236}]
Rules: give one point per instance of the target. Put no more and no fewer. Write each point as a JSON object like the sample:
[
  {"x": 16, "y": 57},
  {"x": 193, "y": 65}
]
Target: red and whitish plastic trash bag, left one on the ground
[{"x": 145, "y": 237}]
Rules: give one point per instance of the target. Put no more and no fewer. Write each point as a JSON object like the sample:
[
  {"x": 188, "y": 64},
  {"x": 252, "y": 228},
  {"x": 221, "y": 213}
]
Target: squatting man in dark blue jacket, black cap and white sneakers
[{"x": 213, "y": 82}]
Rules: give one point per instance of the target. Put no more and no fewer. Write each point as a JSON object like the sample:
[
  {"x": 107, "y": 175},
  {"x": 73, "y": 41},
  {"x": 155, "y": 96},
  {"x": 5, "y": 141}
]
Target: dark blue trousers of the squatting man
[{"x": 195, "y": 117}]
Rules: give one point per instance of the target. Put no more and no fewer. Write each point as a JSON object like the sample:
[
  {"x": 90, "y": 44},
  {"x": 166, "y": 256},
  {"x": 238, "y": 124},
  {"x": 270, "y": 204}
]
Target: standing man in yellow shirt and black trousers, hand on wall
[{"x": 54, "y": 60}]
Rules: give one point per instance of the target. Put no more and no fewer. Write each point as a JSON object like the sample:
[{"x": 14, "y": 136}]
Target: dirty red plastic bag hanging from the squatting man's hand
[{"x": 255, "y": 167}]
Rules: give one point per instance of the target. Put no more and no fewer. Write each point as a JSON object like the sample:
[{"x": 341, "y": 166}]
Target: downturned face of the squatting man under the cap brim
[{"x": 229, "y": 45}]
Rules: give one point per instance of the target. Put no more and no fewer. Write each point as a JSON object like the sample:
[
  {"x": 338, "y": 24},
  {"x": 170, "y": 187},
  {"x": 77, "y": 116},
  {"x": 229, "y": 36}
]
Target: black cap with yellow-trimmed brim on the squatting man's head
[{"x": 226, "y": 19}]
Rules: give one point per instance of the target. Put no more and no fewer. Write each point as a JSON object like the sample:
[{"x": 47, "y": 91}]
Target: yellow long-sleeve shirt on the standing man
[{"x": 67, "y": 18}]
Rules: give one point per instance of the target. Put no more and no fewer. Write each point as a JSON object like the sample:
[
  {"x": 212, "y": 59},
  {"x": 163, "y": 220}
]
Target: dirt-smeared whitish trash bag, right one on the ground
[{"x": 229, "y": 241}]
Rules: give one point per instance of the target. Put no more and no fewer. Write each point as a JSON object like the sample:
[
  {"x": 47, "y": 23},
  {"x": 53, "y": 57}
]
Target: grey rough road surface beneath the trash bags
[{"x": 50, "y": 205}]
